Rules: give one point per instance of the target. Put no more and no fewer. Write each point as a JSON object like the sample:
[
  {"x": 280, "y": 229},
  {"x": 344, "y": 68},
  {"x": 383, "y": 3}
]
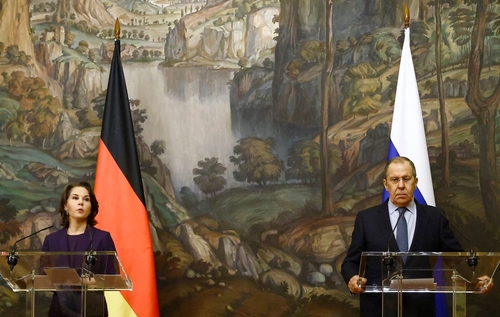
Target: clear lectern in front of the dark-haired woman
[{"x": 78, "y": 279}]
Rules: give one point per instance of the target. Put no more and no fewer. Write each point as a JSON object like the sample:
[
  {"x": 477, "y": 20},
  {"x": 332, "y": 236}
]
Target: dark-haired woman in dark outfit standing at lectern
[{"x": 78, "y": 208}]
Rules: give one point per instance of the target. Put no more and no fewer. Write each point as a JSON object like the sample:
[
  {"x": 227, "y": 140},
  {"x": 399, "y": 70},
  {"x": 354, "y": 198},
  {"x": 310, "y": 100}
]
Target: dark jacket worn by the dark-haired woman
[{"x": 68, "y": 303}]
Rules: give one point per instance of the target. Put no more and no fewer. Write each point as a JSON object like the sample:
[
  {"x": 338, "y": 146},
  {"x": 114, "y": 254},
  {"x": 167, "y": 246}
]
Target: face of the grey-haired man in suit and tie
[{"x": 400, "y": 183}]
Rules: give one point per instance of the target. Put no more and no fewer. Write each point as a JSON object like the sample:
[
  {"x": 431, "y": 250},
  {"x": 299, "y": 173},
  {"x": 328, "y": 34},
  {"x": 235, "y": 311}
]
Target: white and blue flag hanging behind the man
[{"x": 408, "y": 139}]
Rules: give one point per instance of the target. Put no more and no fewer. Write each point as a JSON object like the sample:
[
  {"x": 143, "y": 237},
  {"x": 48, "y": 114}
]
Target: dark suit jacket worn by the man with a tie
[{"x": 373, "y": 232}]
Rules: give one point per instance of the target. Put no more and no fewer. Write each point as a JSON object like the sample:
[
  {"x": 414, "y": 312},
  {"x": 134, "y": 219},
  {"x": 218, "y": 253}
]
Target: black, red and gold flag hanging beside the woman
[{"x": 118, "y": 187}]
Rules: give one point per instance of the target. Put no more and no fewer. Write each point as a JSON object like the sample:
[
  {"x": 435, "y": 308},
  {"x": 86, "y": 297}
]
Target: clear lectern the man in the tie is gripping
[{"x": 395, "y": 275}]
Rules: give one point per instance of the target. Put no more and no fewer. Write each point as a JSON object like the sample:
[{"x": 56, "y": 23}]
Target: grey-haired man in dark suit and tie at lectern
[{"x": 375, "y": 230}]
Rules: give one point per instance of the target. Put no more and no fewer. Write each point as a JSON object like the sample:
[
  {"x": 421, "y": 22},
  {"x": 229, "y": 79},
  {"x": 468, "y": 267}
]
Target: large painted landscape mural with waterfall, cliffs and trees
[{"x": 227, "y": 105}]
